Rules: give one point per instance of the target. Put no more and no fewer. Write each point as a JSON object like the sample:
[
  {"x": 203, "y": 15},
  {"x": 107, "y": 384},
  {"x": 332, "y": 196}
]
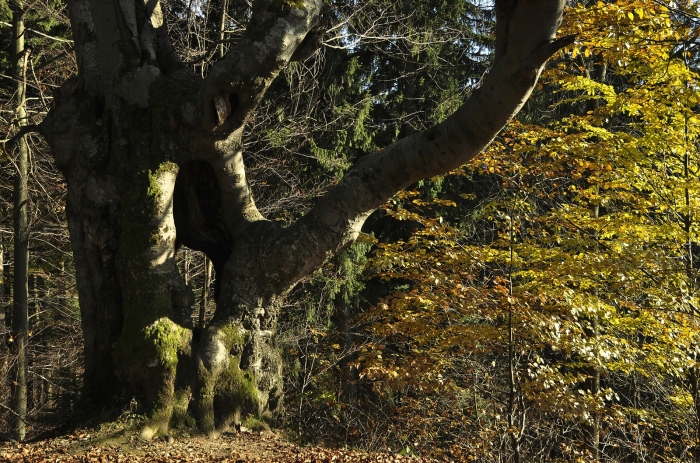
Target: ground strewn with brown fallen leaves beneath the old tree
[{"x": 124, "y": 446}]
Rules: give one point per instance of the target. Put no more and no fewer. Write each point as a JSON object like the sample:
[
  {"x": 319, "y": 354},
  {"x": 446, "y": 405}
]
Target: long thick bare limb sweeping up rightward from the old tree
[{"x": 526, "y": 31}]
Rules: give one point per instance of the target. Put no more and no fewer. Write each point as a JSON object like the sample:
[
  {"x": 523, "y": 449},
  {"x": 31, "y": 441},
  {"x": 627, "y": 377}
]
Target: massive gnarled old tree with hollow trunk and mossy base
[{"x": 152, "y": 154}]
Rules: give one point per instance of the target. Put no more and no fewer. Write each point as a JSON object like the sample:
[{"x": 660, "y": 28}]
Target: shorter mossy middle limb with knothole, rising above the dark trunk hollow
[{"x": 278, "y": 30}]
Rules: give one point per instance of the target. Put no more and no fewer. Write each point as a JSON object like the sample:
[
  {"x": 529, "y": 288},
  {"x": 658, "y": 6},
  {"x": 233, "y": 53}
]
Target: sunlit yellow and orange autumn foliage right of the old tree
[{"x": 587, "y": 237}]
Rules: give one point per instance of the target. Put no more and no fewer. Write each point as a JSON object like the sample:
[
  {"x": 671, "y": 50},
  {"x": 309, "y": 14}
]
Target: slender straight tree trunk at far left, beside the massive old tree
[{"x": 21, "y": 229}]
